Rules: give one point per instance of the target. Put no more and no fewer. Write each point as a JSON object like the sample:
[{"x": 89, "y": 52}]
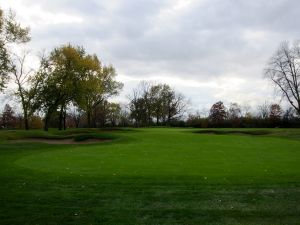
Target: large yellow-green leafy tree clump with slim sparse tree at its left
[{"x": 67, "y": 78}]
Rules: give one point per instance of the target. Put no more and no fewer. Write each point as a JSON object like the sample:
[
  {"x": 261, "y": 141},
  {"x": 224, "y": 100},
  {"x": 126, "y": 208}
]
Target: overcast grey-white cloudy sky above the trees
[{"x": 209, "y": 50}]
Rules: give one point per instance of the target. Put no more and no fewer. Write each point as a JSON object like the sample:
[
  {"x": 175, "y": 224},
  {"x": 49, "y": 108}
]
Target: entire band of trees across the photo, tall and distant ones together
[{"x": 72, "y": 88}]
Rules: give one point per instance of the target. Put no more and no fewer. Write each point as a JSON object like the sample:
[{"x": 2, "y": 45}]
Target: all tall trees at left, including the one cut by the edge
[{"x": 68, "y": 77}]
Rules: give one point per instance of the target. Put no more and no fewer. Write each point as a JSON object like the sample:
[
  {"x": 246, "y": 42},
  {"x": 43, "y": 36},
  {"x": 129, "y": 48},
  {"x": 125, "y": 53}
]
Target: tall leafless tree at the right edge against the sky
[{"x": 284, "y": 70}]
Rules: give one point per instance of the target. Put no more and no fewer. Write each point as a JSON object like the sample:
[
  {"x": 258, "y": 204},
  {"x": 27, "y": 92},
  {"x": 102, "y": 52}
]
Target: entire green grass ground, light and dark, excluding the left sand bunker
[{"x": 152, "y": 176}]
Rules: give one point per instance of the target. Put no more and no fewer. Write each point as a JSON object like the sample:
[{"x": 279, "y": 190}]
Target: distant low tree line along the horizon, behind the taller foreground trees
[{"x": 144, "y": 112}]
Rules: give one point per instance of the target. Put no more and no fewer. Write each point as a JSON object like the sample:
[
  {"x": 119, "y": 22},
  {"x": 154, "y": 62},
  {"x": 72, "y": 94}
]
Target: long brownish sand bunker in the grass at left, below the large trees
[{"x": 60, "y": 141}]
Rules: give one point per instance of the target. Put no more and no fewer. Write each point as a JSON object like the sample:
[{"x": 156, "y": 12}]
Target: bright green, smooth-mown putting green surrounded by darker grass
[{"x": 177, "y": 155}]
